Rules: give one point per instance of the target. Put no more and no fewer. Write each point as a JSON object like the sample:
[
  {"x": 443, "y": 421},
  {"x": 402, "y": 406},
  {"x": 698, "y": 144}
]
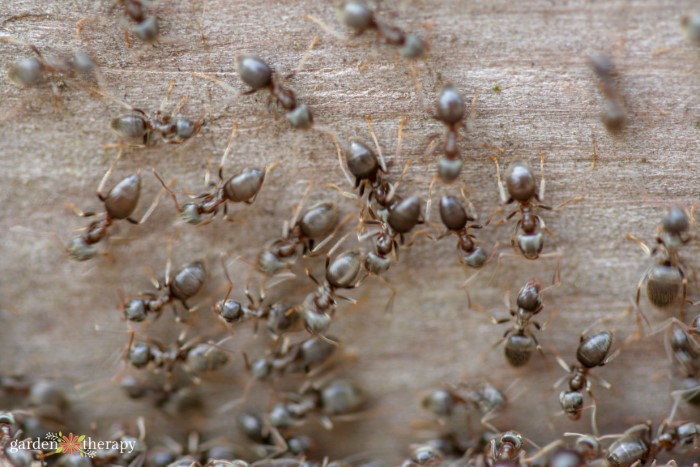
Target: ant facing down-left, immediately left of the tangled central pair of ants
[{"x": 319, "y": 222}]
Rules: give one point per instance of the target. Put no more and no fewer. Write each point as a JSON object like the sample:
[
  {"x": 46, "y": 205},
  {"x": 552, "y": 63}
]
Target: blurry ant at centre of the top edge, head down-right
[{"x": 359, "y": 17}]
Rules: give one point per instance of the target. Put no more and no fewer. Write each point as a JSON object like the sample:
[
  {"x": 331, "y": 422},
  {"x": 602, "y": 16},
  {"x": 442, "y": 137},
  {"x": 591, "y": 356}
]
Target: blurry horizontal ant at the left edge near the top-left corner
[{"x": 36, "y": 71}]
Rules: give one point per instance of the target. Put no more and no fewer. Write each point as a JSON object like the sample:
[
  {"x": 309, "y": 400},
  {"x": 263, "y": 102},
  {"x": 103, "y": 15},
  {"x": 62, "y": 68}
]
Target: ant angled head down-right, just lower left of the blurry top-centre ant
[{"x": 258, "y": 75}]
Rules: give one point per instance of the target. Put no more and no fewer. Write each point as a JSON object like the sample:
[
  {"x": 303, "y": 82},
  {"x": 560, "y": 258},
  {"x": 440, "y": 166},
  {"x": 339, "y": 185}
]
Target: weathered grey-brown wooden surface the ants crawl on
[{"x": 535, "y": 52}]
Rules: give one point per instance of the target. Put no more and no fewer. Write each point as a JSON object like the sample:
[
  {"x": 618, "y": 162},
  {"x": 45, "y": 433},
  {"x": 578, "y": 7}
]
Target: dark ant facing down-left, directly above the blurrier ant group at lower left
[{"x": 185, "y": 284}]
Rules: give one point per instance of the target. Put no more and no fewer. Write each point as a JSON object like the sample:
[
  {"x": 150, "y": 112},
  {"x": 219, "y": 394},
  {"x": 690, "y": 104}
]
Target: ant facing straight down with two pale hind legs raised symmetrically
[{"x": 522, "y": 188}]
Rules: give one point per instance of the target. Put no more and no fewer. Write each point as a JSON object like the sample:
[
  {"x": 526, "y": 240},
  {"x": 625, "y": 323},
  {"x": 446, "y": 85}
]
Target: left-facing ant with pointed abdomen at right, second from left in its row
[{"x": 241, "y": 188}]
